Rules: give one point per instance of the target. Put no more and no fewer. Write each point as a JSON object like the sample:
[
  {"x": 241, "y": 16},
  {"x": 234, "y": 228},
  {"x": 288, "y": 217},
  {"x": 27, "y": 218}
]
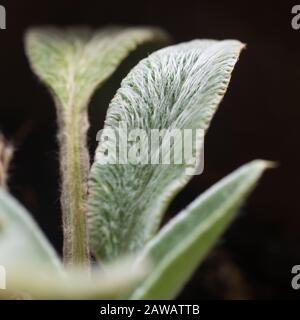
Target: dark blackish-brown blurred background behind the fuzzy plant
[{"x": 258, "y": 118}]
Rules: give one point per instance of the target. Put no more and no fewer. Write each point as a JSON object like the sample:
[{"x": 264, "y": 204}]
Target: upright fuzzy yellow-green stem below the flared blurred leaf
[{"x": 74, "y": 162}]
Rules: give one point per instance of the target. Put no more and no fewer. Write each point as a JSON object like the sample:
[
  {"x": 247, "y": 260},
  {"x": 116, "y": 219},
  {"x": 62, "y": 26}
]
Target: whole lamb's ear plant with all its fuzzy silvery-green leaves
[{"x": 118, "y": 212}]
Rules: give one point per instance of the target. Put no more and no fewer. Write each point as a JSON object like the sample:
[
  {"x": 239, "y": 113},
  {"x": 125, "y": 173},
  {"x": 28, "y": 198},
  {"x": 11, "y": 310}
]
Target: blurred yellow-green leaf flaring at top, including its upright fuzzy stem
[{"x": 73, "y": 63}]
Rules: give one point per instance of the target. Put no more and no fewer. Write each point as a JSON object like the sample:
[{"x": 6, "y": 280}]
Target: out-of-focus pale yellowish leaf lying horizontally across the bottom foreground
[{"x": 32, "y": 282}]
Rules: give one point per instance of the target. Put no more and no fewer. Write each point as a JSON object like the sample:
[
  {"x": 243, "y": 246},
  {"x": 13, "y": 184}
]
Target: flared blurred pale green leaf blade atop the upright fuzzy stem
[{"x": 74, "y": 62}]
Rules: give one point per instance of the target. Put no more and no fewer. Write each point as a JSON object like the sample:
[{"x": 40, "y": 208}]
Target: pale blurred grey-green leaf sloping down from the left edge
[{"x": 21, "y": 241}]
